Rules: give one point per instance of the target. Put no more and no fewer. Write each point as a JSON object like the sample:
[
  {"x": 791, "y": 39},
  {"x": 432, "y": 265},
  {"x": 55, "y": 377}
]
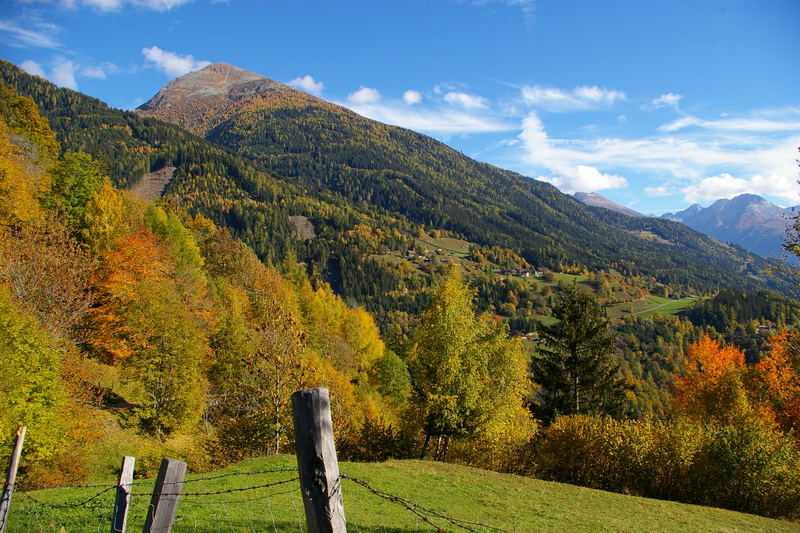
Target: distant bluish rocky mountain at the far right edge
[{"x": 747, "y": 220}]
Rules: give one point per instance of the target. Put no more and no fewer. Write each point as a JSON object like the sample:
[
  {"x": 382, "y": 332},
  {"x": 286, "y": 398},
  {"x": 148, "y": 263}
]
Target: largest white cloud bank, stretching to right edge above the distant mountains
[{"x": 686, "y": 160}]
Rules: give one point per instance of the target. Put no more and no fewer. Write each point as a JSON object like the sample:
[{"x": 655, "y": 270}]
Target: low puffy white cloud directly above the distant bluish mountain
[{"x": 727, "y": 186}]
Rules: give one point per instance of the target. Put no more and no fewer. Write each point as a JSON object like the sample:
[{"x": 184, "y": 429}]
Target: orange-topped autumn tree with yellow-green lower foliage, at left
[{"x": 141, "y": 322}]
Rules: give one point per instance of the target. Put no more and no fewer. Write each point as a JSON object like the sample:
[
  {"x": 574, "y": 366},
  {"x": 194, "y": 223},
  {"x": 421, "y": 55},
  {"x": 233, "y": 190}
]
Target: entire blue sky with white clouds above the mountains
[{"x": 653, "y": 104}]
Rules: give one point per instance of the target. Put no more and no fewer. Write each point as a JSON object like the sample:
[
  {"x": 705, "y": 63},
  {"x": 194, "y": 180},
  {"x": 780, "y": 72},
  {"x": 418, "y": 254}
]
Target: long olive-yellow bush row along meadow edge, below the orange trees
[{"x": 749, "y": 466}]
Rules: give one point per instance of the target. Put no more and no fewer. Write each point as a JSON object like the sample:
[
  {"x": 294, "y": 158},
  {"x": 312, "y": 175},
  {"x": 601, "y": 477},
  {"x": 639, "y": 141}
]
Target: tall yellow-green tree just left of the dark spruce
[{"x": 464, "y": 371}]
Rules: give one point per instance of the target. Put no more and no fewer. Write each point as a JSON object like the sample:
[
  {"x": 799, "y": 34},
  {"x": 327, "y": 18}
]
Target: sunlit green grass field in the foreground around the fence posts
[{"x": 506, "y": 502}]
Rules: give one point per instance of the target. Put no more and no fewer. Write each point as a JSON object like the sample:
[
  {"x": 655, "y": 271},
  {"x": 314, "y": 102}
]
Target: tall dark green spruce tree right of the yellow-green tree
[{"x": 573, "y": 365}]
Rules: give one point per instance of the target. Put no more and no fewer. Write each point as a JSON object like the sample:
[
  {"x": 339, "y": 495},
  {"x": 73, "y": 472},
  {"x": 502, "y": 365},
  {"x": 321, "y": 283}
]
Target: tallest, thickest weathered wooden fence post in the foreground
[{"x": 316, "y": 460}]
